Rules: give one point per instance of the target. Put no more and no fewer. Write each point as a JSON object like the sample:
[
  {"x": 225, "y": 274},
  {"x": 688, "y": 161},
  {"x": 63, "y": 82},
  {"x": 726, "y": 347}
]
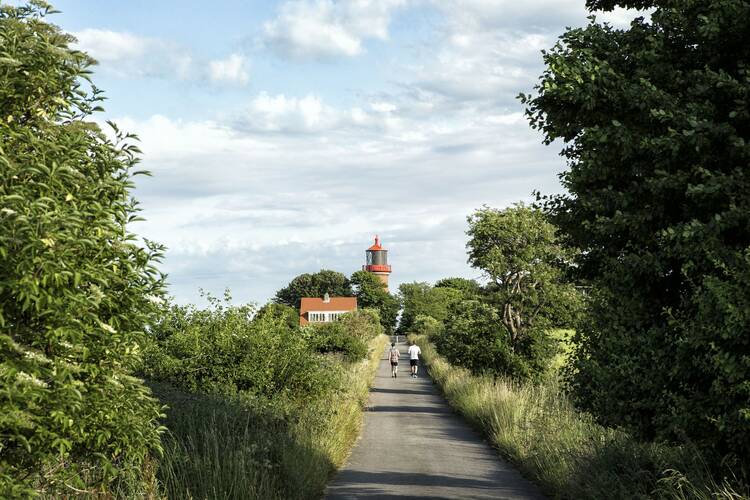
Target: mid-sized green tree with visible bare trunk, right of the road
[{"x": 518, "y": 251}]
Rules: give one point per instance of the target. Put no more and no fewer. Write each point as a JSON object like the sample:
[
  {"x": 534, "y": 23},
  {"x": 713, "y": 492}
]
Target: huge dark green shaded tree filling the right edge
[{"x": 657, "y": 130}]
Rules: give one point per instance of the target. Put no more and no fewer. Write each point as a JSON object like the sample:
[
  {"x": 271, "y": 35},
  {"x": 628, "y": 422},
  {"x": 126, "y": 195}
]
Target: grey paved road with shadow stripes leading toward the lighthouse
[{"x": 414, "y": 446}]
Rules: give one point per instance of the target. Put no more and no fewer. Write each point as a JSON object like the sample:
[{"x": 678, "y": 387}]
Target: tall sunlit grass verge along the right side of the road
[{"x": 565, "y": 451}]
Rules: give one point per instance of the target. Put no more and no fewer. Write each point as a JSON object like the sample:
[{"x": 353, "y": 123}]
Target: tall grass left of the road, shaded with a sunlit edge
[{"x": 216, "y": 448}]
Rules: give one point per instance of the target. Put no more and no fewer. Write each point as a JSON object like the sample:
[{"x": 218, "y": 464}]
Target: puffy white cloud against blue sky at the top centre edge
[{"x": 327, "y": 28}]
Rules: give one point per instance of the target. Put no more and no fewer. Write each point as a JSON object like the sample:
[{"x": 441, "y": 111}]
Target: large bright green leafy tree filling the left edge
[{"x": 76, "y": 289}]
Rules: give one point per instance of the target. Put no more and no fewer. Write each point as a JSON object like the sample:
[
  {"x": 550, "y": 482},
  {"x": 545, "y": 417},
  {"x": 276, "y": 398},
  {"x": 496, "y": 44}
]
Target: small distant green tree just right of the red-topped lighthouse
[{"x": 424, "y": 299}]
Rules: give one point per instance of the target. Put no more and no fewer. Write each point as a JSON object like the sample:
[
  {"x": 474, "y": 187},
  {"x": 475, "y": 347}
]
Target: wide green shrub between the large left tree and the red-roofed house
[{"x": 224, "y": 350}]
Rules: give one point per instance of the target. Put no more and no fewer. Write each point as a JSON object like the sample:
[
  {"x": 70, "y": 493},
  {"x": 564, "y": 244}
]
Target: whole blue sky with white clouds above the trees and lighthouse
[{"x": 283, "y": 136}]
